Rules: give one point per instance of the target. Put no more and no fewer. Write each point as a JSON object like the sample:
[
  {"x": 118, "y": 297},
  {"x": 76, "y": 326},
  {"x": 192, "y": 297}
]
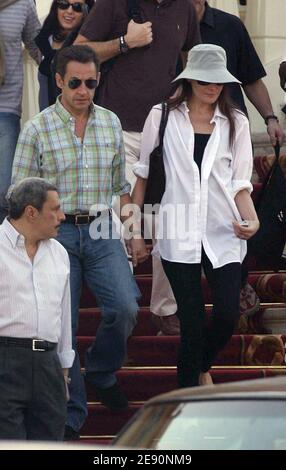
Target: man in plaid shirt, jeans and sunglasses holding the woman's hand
[{"x": 78, "y": 146}]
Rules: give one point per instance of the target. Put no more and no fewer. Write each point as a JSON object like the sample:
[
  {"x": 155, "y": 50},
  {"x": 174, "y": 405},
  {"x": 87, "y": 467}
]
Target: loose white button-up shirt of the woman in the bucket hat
[{"x": 199, "y": 211}]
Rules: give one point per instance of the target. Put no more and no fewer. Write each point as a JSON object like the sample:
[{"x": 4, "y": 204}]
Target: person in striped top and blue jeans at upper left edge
[{"x": 18, "y": 23}]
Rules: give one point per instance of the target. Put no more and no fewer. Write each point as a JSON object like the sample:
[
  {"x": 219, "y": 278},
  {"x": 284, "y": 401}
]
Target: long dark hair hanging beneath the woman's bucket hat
[{"x": 225, "y": 104}]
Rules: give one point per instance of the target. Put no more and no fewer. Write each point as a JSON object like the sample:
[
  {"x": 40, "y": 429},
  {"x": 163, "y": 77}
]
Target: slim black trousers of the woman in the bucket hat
[{"x": 200, "y": 342}]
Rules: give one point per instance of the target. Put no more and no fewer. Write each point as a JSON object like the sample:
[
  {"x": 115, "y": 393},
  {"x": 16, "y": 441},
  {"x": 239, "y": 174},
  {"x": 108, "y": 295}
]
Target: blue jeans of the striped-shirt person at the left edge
[{"x": 9, "y": 132}]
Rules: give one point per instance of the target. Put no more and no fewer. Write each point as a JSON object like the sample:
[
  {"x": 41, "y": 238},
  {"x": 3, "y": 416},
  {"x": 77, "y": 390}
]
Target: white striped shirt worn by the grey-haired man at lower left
[{"x": 35, "y": 296}]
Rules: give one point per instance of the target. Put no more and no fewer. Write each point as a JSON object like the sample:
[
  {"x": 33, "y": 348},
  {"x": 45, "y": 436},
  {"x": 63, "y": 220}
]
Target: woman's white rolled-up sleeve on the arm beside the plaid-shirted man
[{"x": 149, "y": 141}]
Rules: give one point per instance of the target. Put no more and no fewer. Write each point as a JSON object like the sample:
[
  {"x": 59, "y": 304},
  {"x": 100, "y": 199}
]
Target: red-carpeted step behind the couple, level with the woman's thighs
[{"x": 272, "y": 290}]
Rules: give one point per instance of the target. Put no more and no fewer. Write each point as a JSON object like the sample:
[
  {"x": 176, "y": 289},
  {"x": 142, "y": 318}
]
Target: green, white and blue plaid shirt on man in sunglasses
[{"x": 86, "y": 172}]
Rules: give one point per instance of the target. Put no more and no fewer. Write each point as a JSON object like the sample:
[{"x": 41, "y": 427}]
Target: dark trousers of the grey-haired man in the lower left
[{"x": 32, "y": 394}]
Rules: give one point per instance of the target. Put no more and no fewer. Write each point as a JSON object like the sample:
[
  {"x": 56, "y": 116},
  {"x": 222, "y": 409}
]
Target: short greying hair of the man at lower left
[{"x": 28, "y": 192}]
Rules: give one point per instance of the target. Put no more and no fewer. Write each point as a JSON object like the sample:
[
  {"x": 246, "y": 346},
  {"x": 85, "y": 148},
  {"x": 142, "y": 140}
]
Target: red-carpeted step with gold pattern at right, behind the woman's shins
[{"x": 162, "y": 350}]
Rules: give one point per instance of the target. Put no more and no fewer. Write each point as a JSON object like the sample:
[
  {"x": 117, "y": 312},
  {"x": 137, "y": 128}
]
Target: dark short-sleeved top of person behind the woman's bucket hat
[{"x": 228, "y": 31}]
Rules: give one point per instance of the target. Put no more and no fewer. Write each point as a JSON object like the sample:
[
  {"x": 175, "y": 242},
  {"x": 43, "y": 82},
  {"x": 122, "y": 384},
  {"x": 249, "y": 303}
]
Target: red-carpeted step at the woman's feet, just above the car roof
[{"x": 142, "y": 384}]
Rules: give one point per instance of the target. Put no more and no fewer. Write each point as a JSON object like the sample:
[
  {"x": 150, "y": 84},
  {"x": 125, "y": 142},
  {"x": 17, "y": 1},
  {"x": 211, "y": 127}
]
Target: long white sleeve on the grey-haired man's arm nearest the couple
[{"x": 65, "y": 352}]
